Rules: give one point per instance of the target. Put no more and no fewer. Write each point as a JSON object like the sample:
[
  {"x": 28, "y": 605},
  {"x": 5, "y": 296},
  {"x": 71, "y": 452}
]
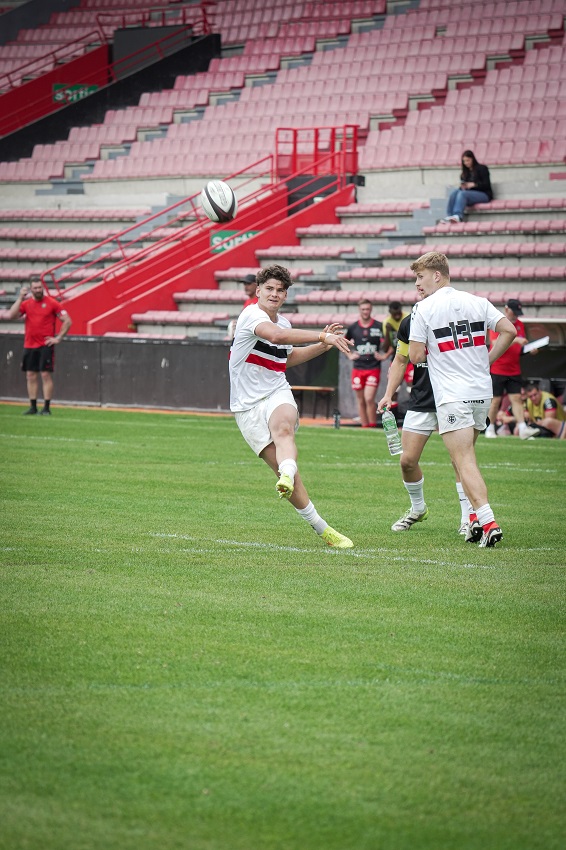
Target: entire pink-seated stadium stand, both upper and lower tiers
[{"x": 421, "y": 85}]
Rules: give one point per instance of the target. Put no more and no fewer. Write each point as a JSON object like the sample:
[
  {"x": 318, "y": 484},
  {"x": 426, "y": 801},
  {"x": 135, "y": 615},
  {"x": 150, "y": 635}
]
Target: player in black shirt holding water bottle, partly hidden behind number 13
[{"x": 420, "y": 421}]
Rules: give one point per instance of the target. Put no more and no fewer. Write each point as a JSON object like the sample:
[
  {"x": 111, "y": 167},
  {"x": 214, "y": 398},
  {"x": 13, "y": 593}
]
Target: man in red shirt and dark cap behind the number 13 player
[{"x": 506, "y": 375}]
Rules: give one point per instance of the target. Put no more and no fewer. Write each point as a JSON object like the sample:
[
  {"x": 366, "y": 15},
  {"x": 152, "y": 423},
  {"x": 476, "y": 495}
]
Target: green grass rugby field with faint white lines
[{"x": 184, "y": 665}]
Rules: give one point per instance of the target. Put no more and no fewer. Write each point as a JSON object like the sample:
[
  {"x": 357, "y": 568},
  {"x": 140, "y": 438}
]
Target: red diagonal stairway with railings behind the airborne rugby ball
[{"x": 145, "y": 262}]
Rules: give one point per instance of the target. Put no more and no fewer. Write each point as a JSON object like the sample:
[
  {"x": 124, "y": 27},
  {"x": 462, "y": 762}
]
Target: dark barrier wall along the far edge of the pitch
[{"x": 176, "y": 374}]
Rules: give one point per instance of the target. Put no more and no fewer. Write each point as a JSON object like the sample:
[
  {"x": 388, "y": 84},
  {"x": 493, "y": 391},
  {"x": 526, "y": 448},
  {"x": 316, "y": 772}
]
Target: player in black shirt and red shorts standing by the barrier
[{"x": 367, "y": 336}]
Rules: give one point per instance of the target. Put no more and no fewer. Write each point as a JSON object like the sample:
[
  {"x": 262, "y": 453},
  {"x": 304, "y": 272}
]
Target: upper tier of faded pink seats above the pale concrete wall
[{"x": 374, "y": 77}]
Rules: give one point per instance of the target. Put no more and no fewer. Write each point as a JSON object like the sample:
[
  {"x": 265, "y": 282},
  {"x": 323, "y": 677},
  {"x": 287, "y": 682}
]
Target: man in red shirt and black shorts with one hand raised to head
[{"x": 40, "y": 313}]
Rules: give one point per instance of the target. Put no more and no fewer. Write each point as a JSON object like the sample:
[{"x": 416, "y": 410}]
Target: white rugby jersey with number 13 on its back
[{"x": 453, "y": 325}]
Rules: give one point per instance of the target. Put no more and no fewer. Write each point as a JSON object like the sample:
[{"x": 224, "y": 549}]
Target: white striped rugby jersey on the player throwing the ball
[{"x": 257, "y": 367}]
